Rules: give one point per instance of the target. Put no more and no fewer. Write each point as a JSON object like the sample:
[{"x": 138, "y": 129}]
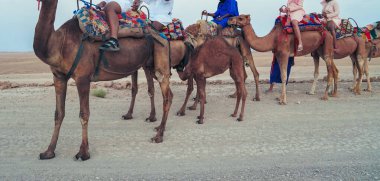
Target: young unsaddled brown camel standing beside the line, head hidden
[{"x": 214, "y": 57}]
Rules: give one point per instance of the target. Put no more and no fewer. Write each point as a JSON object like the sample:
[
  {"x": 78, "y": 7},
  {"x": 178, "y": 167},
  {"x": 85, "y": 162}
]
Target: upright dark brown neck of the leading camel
[{"x": 45, "y": 29}]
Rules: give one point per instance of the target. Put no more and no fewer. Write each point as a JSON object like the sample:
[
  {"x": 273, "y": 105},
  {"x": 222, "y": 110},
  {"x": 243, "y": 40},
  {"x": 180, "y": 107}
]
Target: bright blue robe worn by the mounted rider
[{"x": 227, "y": 7}]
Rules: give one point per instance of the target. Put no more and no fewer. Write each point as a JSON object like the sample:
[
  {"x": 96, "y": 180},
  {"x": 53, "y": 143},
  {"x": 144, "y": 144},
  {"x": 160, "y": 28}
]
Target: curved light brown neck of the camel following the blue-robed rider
[{"x": 260, "y": 44}]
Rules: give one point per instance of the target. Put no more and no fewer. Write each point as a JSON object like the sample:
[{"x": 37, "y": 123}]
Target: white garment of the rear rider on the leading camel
[{"x": 160, "y": 10}]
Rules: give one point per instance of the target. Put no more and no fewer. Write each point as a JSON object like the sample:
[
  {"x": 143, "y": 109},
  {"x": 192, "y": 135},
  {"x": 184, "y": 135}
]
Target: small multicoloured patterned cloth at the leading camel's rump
[{"x": 174, "y": 30}]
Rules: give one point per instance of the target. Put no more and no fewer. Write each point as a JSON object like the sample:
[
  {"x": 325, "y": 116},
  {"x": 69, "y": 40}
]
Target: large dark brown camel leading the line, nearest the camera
[{"x": 57, "y": 48}]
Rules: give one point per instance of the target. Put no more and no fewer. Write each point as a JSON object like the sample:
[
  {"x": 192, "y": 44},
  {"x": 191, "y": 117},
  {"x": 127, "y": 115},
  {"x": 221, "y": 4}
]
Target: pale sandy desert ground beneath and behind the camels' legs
[{"x": 308, "y": 139}]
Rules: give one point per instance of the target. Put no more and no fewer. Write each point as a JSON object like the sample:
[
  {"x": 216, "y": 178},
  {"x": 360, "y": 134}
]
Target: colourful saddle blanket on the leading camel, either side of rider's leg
[{"x": 93, "y": 22}]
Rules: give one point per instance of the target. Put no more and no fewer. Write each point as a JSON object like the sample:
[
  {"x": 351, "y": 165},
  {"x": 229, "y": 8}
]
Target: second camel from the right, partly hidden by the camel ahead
[{"x": 350, "y": 46}]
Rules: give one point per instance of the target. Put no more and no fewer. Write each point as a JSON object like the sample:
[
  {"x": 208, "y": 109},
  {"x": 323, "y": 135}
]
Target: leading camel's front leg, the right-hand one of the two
[{"x": 83, "y": 86}]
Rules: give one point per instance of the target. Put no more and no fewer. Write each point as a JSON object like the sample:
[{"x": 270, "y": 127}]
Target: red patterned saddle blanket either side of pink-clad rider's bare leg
[{"x": 310, "y": 22}]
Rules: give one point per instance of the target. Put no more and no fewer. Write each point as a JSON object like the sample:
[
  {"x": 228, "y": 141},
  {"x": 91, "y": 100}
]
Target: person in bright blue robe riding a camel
[{"x": 226, "y": 9}]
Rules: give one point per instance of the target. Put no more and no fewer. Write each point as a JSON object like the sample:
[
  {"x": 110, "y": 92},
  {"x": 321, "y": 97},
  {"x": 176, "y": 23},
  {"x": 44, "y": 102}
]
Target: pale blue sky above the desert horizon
[{"x": 17, "y": 29}]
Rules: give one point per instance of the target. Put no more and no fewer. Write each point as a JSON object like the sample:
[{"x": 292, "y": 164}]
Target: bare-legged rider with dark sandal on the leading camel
[{"x": 112, "y": 8}]
